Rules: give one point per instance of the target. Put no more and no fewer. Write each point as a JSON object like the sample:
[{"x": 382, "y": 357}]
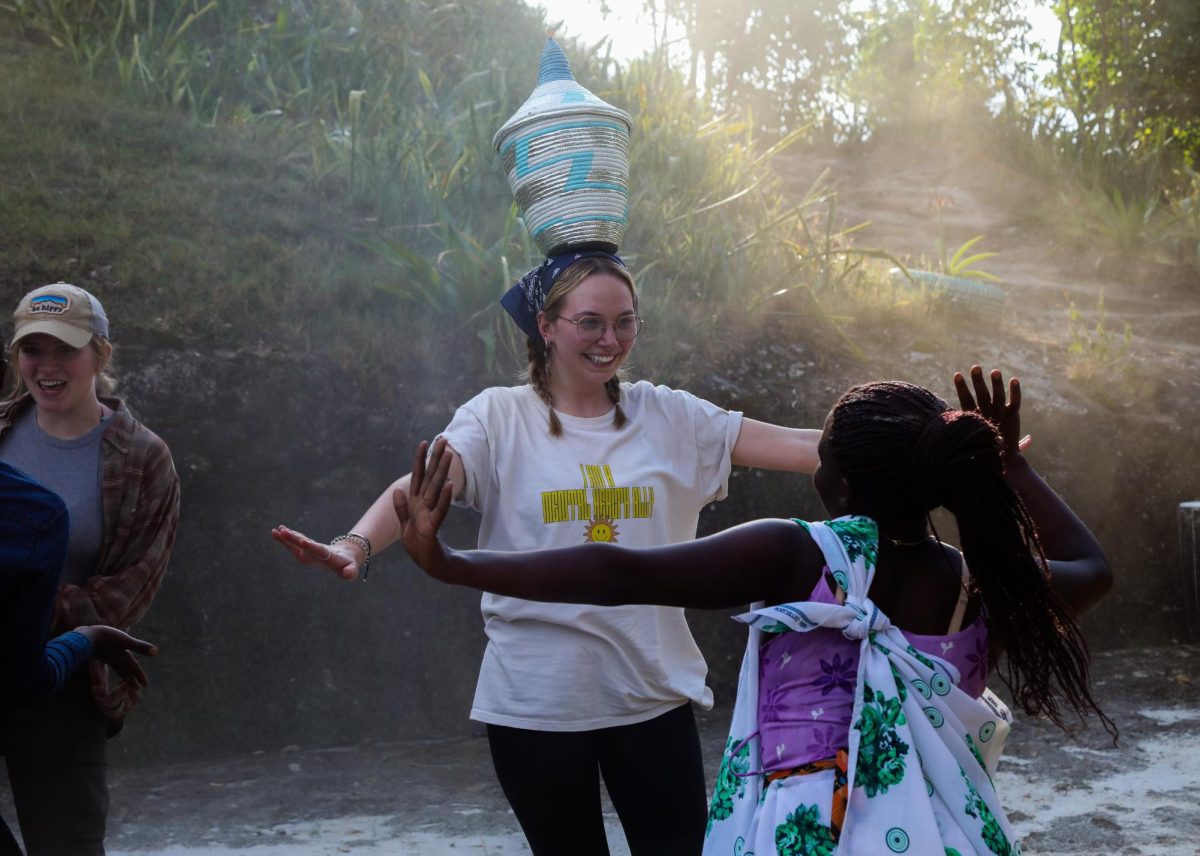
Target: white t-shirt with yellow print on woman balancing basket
[{"x": 574, "y": 667}]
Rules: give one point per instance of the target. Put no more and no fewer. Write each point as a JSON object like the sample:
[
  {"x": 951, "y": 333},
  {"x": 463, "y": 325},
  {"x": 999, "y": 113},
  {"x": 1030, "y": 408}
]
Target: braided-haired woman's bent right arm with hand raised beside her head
[{"x": 1079, "y": 570}]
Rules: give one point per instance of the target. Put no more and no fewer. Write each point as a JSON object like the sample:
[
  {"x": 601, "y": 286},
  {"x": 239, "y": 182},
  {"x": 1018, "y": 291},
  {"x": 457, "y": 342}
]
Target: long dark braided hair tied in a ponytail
[{"x": 903, "y": 448}]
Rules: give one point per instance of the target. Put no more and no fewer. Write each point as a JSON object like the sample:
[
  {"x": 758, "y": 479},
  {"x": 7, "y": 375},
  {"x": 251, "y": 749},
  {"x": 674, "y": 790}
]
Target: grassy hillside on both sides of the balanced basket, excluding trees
[{"x": 305, "y": 159}]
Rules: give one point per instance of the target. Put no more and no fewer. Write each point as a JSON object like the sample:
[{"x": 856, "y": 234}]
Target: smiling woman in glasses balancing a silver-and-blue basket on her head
[{"x": 573, "y": 693}]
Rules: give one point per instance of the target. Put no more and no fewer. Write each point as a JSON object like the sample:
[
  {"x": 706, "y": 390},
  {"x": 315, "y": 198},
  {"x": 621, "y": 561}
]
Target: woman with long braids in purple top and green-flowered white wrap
[{"x": 863, "y": 723}]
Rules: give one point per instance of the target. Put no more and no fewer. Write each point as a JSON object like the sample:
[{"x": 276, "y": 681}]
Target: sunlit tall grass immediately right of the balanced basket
[{"x": 719, "y": 237}]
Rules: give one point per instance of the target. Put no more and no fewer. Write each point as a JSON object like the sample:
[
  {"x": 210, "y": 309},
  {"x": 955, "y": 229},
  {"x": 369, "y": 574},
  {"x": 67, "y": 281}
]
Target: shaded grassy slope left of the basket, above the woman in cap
[{"x": 286, "y": 141}]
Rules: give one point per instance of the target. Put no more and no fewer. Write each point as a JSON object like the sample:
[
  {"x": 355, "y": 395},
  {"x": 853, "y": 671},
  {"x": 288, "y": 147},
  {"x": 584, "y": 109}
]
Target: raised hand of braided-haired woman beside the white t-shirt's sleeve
[{"x": 424, "y": 508}]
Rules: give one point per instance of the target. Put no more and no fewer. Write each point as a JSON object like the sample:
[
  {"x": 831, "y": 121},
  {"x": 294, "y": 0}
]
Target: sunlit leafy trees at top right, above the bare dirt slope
[{"x": 1111, "y": 112}]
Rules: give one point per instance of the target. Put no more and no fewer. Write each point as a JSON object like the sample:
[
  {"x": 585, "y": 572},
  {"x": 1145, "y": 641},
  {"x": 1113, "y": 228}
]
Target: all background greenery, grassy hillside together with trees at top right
[{"x": 322, "y": 173}]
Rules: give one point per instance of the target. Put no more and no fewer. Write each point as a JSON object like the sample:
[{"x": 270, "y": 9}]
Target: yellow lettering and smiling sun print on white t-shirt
[{"x": 601, "y": 504}]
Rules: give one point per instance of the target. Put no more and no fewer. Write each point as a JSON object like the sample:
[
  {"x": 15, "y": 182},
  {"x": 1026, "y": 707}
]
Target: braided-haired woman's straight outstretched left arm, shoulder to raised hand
[{"x": 767, "y": 560}]
